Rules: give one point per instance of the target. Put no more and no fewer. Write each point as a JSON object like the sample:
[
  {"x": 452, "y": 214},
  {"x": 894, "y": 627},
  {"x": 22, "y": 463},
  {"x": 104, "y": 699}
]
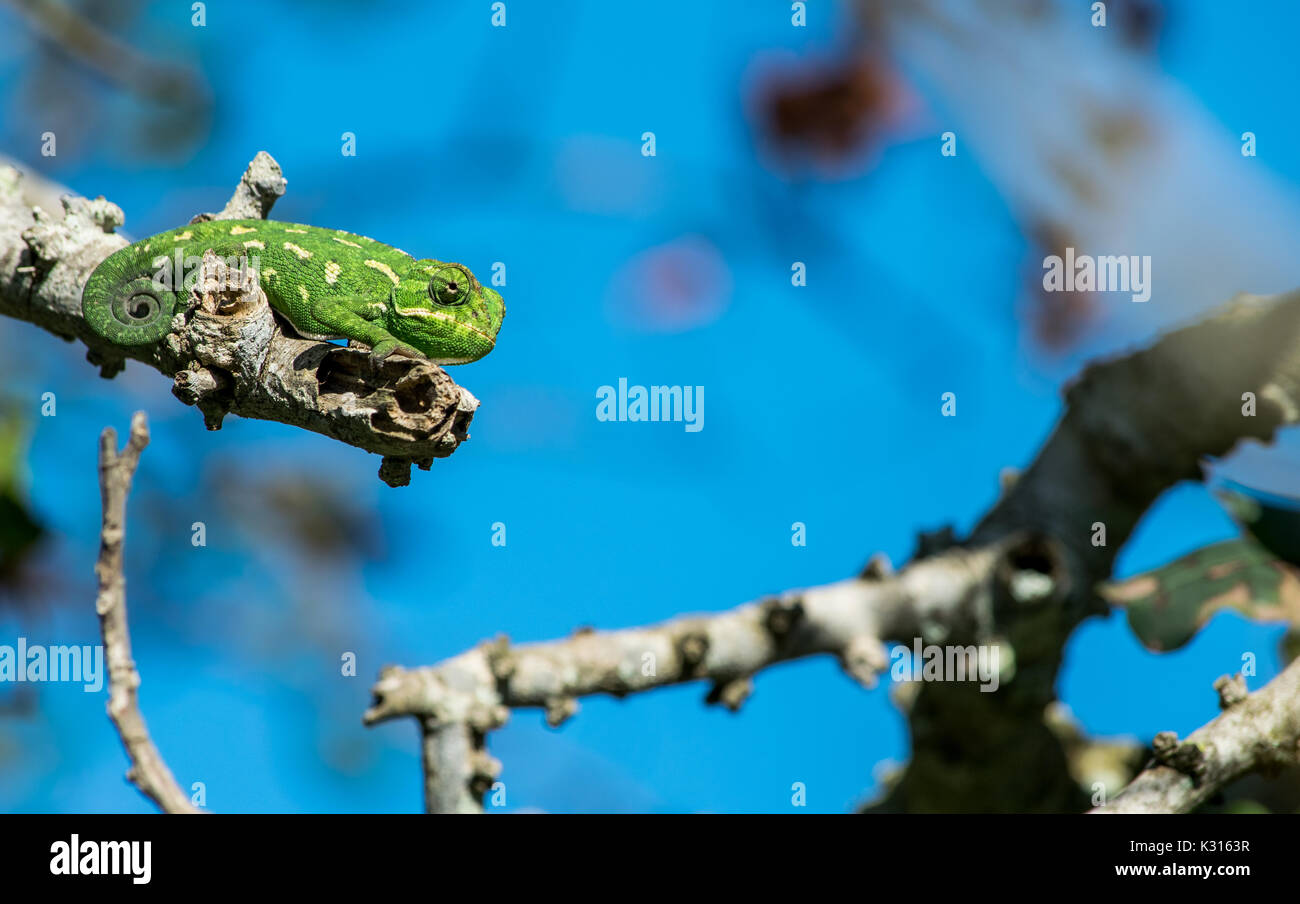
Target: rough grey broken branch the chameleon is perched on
[{"x": 232, "y": 356}]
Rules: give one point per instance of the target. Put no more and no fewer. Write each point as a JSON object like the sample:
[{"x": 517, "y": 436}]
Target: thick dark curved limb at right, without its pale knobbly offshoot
[{"x": 1134, "y": 427}]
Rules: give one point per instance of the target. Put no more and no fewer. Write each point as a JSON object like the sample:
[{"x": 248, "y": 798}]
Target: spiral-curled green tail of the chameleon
[{"x": 124, "y": 304}]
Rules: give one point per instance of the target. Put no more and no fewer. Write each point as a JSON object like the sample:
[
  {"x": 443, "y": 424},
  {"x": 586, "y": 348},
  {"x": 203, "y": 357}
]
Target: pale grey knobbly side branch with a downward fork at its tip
[{"x": 461, "y": 700}]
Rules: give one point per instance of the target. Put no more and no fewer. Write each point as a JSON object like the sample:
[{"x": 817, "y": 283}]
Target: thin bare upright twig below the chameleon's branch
[{"x": 149, "y": 772}]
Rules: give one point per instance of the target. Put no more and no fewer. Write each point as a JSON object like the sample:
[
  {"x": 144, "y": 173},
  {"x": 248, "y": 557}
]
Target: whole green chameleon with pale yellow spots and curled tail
[{"x": 330, "y": 284}]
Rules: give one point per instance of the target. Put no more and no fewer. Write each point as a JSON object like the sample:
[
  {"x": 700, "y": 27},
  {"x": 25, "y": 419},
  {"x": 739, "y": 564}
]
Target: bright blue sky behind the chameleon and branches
[{"x": 522, "y": 145}]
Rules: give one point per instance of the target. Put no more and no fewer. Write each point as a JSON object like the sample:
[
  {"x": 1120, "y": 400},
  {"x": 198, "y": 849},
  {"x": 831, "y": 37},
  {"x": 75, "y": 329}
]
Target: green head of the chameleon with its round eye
[{"x": 449, "y": 317}]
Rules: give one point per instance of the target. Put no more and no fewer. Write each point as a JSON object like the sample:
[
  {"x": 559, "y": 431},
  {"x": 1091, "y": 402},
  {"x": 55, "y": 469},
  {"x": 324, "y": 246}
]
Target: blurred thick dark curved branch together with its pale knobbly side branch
[{"x": 1025, "y": 579}]
